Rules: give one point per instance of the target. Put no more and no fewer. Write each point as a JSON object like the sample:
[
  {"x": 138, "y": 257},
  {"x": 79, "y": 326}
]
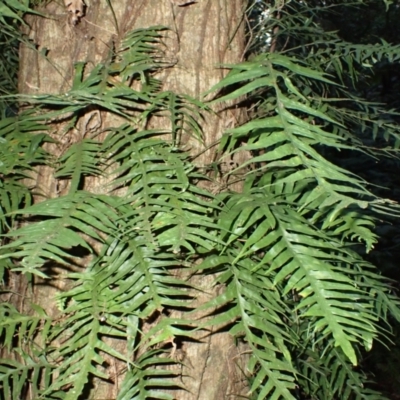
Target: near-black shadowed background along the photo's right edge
[{"x": 367, "y": 24}]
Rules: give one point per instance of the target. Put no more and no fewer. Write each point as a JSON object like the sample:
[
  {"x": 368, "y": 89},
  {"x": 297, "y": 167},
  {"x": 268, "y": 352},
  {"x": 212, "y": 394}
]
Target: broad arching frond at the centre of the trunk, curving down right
[{"x": 161, "y": 201}]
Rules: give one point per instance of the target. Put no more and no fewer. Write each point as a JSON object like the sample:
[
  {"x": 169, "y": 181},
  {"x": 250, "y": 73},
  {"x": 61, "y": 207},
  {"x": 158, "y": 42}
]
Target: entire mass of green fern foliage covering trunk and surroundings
[{"x": 292, "y": 249}]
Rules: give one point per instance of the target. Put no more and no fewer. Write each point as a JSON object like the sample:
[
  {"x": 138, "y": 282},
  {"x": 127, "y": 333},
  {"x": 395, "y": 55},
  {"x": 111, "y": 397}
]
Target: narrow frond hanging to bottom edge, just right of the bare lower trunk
[{"x": 255, "y": 312}]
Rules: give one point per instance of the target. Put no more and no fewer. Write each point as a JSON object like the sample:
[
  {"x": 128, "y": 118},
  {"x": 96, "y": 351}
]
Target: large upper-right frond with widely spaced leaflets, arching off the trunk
[{"x": 286, "y": 140}]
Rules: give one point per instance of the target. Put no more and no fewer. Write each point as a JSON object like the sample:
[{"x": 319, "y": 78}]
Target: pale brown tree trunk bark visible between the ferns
[{"x": 203, "y": 36}]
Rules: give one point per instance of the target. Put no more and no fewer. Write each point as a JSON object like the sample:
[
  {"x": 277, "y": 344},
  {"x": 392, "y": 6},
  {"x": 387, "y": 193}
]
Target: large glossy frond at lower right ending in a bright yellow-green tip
[{"x": 305, "y": 261}]
